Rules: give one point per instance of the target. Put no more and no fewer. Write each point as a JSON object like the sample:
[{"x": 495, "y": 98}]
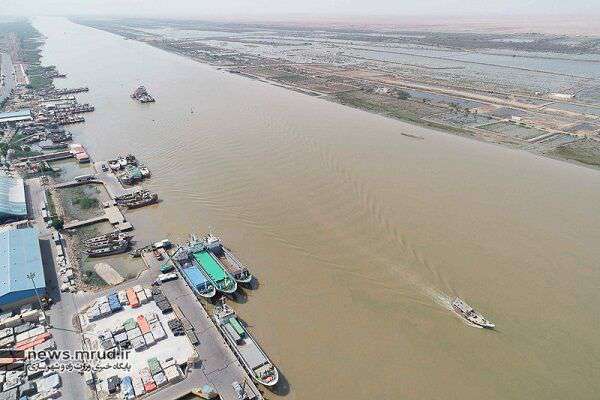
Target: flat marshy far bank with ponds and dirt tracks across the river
[{"x": 420, "y": 94}]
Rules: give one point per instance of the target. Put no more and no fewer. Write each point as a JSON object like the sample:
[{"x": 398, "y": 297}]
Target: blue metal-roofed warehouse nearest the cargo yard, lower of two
[{"x": 20, "y": 256}]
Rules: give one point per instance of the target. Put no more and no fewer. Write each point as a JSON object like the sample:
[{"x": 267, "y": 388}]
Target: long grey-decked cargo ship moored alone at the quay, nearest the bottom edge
[{"x": 247, "y": 350}]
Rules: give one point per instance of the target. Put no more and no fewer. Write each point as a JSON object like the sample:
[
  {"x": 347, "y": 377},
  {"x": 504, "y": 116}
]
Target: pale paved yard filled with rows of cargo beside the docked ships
[{"x": 151, "y": 352}]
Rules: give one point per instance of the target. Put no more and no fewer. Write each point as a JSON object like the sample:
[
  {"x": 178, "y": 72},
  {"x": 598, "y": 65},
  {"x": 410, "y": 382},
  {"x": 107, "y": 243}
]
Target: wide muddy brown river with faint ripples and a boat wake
[{"x": 359, "y": 234}]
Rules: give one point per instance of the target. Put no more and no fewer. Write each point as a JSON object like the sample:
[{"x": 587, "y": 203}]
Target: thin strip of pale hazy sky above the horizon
[{"x": 199, "y": 8}]
